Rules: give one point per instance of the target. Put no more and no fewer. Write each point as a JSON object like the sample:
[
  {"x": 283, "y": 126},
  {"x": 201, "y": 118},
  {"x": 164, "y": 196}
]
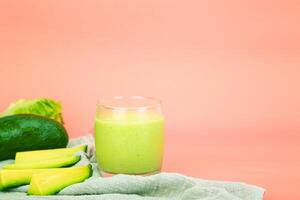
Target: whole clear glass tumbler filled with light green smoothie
[{"x": 129, "y": 135}]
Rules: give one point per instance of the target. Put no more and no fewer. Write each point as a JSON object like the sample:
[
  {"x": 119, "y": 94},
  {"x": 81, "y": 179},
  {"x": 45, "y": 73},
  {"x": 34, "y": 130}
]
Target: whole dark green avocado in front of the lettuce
[{"x": 26, "y": 132}]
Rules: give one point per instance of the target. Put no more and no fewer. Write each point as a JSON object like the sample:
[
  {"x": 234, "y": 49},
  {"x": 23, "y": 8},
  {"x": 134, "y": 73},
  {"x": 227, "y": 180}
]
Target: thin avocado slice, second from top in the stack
[{"x": 51, "y": 163}]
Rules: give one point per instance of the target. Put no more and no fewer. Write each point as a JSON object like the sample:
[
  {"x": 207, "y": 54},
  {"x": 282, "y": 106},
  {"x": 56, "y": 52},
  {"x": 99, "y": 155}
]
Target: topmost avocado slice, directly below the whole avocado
[{"x": 39, "y": 155}]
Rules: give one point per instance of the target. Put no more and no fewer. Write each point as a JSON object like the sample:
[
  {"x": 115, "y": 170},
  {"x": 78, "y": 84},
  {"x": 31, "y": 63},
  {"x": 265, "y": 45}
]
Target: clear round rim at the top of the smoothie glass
[{"x": 152, "y": 102}]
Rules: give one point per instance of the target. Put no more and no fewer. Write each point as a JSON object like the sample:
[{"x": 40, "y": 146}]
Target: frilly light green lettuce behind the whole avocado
[{"x": 44, "y": 107}]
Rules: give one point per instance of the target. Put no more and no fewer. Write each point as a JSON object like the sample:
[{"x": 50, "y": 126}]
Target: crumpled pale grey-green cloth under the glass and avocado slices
[{"x": 162, "y": 186}]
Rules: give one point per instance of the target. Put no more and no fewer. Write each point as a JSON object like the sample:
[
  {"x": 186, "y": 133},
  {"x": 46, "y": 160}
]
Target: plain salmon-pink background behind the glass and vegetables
[{"x": 227, "y": 72}]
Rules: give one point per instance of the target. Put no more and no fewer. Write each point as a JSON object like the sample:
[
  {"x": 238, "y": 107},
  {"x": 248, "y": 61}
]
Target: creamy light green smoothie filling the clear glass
[{"x": 129, "y": 146}]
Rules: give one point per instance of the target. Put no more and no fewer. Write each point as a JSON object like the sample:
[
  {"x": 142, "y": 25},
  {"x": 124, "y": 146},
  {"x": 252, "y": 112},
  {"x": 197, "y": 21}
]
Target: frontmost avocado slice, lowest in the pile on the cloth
[{"x": 48, "y": 183}]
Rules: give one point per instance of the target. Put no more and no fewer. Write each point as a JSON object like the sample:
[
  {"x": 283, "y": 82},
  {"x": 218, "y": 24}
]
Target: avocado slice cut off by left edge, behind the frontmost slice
[{"x": 12, "y": 178}]
